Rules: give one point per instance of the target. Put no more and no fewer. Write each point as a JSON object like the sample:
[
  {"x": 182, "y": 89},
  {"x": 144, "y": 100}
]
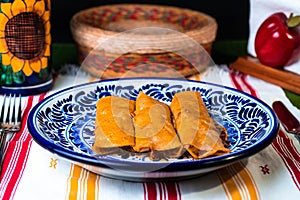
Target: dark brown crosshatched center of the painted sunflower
[{"x": 25, "y": 35}]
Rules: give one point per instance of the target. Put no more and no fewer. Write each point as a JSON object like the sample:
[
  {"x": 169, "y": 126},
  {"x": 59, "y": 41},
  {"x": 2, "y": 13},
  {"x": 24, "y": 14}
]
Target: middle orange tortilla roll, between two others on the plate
[{"x": 154, "y": 130}]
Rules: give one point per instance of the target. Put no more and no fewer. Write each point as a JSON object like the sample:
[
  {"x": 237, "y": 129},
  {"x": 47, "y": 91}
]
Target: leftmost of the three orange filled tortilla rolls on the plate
[{"x": 114, "y": 128}]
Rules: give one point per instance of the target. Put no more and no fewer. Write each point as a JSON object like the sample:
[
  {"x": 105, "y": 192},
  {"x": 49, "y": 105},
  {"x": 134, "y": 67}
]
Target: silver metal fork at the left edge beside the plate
[{"x": 10, "y": 120}]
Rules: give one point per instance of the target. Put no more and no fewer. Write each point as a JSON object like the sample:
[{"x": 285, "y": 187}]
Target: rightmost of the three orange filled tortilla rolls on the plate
[{"x": 197, "y": 131}]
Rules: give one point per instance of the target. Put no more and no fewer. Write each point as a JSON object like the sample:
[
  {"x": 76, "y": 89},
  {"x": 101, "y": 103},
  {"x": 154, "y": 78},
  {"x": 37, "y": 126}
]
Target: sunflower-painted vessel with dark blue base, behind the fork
[{"x": 25, "y": 43}]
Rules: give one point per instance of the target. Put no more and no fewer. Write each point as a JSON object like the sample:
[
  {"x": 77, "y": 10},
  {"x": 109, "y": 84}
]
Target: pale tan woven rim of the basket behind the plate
[{"x": 85, "y": 34}]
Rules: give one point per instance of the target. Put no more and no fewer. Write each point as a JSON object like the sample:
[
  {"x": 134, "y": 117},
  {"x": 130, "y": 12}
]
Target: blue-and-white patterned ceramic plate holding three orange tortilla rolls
[{"x": 63, "y": 124}]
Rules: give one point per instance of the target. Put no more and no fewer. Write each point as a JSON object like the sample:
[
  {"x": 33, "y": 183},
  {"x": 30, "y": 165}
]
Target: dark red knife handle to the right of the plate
[{"x": 287, "y": 119}]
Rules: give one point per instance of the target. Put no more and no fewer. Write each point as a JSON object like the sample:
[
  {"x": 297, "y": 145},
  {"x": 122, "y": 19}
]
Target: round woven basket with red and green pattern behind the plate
[{"x": 115, "y": 40}]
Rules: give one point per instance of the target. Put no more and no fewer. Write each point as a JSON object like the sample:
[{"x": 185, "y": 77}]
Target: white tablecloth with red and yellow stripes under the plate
[{"x": 30, "y": 172}]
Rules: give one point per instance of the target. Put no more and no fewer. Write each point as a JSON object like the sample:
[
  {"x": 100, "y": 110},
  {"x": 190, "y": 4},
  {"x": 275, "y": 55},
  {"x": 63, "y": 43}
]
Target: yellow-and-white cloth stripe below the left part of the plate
[{"x": 82, "y": 184}]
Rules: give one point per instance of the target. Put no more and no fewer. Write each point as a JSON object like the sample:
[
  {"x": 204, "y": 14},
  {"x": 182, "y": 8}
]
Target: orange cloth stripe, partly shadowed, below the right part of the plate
[{"x": 238, "y": 182}]
